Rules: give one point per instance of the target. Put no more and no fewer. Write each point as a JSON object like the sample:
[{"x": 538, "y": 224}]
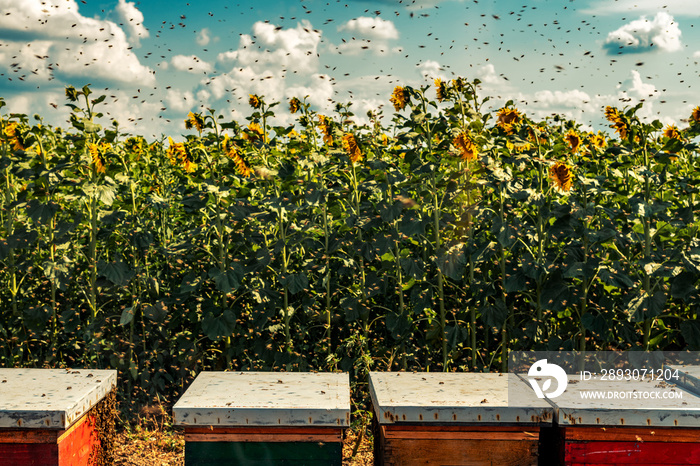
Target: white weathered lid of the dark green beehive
[{"x": 265, "y": 398}]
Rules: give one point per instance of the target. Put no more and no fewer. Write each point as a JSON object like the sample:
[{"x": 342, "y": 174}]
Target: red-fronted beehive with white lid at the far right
[{"x": 632, "y": 429}]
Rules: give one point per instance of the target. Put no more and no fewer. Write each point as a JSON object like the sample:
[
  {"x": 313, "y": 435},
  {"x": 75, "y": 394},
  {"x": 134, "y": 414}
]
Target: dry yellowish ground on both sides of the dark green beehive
[{"x": 161, "y": 445}]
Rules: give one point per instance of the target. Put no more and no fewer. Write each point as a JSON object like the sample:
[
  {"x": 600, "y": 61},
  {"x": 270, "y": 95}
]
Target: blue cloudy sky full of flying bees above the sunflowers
[{"x": 156, "y": 60}]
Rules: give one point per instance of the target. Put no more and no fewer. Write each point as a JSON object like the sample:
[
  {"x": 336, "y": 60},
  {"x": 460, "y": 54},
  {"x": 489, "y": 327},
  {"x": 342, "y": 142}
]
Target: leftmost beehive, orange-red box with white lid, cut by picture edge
[{"x": 46, "y": 415}]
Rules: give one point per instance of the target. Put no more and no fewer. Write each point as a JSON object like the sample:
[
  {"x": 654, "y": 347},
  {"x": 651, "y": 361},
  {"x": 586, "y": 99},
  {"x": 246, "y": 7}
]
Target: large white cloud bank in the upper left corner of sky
[{"x": 71, "y": 45}]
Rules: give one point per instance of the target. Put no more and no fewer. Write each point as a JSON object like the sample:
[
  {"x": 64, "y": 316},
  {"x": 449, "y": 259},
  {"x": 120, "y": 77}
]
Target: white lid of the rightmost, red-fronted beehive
[{"x": 572, "y": 409}]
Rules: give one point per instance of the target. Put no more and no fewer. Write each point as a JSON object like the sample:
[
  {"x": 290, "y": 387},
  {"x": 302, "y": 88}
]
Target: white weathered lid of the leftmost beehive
[{"x": 50, "y": 398}]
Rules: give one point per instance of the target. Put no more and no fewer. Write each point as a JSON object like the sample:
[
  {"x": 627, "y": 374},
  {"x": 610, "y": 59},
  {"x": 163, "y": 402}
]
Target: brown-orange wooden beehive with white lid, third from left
[{"x": 456, "y": 419}]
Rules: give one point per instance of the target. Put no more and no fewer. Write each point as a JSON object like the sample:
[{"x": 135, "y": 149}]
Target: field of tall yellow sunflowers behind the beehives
[{"x": 436, "y": 238}]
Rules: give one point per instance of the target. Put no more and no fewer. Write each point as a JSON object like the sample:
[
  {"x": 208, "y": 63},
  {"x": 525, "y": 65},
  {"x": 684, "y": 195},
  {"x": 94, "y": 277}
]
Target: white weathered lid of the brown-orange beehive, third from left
[{"x": 455, "y": 397}]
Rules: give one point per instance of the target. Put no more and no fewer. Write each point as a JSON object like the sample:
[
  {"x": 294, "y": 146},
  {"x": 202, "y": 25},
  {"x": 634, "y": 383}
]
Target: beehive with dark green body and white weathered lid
[{"x": 256, "y": 418}]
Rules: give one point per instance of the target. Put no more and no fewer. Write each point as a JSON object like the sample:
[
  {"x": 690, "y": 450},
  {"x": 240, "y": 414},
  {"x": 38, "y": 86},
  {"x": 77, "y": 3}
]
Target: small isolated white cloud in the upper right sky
[{"x": 643, "y": 35}]
